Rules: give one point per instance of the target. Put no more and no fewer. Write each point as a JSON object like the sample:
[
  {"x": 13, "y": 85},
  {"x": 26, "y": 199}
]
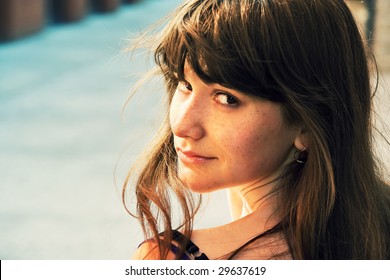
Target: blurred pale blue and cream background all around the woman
[{"x": 67, "y": 139}]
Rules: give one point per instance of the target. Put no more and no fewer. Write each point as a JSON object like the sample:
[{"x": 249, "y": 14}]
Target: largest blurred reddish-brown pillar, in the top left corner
[{"x": 20, "y": 17}]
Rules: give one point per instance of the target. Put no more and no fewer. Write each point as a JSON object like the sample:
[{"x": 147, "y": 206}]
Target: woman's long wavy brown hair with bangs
[{"x": 308, "y": 56}]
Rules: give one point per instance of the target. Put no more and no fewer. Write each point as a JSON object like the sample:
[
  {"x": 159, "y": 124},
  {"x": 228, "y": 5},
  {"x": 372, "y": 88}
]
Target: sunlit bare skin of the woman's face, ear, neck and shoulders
[{"x": 226, "y": 139}]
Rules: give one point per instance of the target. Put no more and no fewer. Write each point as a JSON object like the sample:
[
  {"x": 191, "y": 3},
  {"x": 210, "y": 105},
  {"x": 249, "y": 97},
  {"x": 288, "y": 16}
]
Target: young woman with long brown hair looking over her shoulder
[{"x": 270, "y": 100}]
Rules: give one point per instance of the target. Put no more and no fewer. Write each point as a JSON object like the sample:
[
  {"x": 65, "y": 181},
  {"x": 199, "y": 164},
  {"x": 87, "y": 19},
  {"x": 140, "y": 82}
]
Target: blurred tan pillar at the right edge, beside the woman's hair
[{"x": 382, "y": 37}]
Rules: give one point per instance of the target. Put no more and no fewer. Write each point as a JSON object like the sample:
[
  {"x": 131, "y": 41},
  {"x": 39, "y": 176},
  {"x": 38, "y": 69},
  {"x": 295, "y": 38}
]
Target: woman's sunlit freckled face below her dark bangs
[{"x": 225, "y": 138}]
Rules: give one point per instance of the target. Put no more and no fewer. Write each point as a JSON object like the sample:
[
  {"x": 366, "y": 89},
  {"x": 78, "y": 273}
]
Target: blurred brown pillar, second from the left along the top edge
[{"x": 68, "y": 10}]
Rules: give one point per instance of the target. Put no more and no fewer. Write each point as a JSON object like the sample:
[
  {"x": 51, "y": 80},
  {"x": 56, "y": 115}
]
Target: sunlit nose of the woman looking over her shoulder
[{"x": 186, "y": 116}]
